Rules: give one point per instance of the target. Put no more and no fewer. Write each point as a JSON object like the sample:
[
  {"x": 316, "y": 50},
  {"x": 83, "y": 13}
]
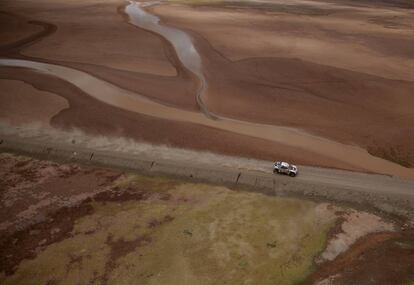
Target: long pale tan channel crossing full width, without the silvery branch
[{"x": 104, "y": 92}]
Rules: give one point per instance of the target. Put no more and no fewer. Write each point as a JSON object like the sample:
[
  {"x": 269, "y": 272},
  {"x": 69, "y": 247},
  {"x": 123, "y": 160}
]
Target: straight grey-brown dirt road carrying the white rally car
[{"x": 392, "y": 195}]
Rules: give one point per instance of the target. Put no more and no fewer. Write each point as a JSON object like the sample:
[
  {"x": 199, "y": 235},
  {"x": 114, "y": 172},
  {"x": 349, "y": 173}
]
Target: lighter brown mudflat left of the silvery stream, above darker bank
[{"x": 92, "y": 32}]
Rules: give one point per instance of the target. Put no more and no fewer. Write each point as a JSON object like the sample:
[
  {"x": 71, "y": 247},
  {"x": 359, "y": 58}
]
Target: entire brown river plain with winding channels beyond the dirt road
[{"x": 320, "y": 83}]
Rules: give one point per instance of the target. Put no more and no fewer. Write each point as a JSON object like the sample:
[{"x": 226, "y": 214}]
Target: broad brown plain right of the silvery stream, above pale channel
[{"x": 260, "y": 82}]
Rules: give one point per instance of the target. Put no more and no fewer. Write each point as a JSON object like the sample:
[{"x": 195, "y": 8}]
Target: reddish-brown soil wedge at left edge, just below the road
[{"x": 31, "y": 189}]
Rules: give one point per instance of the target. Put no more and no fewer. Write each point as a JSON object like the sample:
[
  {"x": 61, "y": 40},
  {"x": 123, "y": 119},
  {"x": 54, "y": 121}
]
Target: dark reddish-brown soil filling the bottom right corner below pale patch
[{"x": 383, "y": 258}]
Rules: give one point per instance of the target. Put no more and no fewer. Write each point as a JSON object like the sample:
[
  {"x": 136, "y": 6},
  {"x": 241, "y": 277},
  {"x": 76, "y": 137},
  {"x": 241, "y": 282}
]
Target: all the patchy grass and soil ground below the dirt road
[{"x": 70, "y": 224}]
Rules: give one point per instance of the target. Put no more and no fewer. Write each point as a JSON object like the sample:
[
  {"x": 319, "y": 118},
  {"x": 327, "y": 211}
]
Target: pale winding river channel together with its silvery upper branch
[{"x": 127, "y": 100}]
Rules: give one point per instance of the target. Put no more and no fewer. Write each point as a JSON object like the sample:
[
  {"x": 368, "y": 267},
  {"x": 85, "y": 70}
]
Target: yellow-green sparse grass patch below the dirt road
[{"x": 201, "y": 234}]
